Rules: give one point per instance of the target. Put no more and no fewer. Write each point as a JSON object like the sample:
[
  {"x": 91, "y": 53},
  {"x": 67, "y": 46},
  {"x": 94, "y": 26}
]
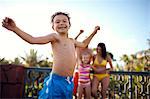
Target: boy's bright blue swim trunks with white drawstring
[{"x": 57, "y": 87}]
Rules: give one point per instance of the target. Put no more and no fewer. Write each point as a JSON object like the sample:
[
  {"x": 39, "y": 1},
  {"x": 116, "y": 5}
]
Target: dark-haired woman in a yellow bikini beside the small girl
[{"x": 99, "y": 68}]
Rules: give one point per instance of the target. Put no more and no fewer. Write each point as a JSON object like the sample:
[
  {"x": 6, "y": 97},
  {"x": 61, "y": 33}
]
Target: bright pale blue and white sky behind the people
[{"x": 125, "y": 24}]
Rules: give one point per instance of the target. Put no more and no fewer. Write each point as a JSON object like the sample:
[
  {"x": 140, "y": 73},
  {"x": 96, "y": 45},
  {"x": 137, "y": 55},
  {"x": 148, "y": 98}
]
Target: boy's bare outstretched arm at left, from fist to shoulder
[{"x": 9, "y": 24}]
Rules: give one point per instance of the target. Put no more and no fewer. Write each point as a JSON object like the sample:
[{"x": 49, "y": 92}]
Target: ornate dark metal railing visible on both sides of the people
[{"x": 123, "y": 85}]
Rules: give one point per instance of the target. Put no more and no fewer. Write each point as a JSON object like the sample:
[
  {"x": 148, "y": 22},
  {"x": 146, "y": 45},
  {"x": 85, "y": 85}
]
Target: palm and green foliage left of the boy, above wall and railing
[{"x": 30, "y": 59}]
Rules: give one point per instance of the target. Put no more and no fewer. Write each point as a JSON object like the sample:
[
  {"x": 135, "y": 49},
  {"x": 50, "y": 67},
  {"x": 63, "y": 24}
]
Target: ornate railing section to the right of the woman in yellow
[{"x": 129, "y": 85}]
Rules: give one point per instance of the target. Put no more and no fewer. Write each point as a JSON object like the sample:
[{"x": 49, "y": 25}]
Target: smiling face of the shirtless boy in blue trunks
[{"x": 61, "y": 24}]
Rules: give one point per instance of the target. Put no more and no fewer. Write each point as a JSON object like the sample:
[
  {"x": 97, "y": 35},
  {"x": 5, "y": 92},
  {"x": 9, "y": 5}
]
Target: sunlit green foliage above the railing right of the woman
[{"x": 137, "y": 62}]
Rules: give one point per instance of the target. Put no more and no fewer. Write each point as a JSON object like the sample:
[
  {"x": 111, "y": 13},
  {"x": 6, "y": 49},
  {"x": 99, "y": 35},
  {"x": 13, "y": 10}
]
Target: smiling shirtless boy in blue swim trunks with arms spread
[{"x": 59, "y": 83}]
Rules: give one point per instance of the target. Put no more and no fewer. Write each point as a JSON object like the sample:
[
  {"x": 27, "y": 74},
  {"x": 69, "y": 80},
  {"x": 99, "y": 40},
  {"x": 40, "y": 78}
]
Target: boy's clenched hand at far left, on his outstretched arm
[{"x": 9, "y": 24}]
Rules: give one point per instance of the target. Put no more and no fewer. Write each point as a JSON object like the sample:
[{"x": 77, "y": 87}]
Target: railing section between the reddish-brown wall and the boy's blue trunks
[{"x": 34, "y": 79}]
